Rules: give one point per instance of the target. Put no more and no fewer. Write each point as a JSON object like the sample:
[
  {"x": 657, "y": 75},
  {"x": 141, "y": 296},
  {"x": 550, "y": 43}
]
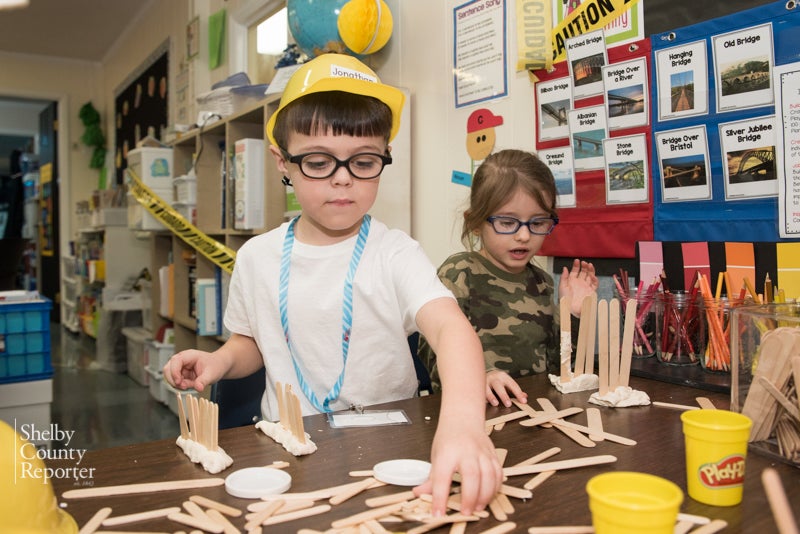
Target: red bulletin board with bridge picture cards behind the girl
[{"x": 593, "y": 131}]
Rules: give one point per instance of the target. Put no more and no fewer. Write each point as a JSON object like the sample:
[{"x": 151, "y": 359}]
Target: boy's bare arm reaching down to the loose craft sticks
[{"x": 460, "y": 444}]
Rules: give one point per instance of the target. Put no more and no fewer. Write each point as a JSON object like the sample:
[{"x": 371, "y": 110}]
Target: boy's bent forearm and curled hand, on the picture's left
[{"x": 237, "y": 358}]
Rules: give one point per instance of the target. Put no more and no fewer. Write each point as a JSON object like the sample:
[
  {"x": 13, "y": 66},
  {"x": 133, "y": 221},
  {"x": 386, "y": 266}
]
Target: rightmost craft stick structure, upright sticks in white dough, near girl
[{"x": 614, "y": 367}]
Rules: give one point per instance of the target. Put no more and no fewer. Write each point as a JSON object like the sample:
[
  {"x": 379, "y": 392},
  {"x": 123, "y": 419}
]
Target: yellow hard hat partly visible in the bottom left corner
[{"x": 28, "y": 505}]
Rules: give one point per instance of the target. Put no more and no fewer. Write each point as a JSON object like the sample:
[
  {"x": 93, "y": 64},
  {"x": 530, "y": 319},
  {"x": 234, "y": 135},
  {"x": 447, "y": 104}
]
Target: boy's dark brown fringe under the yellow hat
[{"x": 340, "y": 112}]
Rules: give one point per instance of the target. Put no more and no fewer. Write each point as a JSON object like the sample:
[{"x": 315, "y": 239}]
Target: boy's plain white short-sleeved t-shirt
[{"x": 393, "y": 281}]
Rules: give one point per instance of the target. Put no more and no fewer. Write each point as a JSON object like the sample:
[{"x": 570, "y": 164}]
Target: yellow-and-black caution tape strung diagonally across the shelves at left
[{"x": 219, "y": 254}]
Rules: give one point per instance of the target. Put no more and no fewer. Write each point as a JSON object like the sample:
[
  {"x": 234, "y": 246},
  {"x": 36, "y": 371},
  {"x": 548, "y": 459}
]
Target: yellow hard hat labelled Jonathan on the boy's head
[{"x": 339, "y": 72}]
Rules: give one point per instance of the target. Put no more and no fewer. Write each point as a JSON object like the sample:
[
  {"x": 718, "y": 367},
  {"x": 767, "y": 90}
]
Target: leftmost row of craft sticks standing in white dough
[{"x": 199, "y": 423}]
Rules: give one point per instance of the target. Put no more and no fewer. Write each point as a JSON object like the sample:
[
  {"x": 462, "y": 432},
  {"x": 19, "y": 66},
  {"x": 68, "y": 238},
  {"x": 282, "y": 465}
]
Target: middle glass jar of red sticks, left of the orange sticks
[{"x": 680, "y": 328}]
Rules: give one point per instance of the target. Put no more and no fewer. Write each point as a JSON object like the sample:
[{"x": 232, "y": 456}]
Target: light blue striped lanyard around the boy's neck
[{"x": 347, "y": 310}]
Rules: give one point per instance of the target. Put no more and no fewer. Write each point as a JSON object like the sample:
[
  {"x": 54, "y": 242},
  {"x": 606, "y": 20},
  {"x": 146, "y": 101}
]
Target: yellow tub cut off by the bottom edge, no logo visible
[{"x": 626, "y": 502}]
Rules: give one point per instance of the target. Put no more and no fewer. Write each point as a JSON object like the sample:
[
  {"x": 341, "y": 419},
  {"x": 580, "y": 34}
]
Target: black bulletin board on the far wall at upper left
[{"x": 140, "y": 107}]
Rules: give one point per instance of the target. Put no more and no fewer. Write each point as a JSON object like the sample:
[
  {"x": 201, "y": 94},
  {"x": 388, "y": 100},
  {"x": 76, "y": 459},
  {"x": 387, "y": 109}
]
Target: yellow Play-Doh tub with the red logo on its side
[{"x": 716, "y": 448}]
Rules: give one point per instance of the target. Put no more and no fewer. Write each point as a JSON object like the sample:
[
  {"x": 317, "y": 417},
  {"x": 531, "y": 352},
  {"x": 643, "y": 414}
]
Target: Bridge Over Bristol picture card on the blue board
[{"x": 683, "y": 160}]
